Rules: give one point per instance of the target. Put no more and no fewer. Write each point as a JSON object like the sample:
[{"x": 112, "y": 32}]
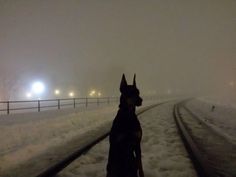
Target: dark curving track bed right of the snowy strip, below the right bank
[{"x": 213, "y": 155}]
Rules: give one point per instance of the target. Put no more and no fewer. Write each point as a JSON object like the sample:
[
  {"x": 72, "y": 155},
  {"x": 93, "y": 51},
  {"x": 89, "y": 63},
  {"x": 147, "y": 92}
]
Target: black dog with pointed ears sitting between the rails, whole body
[{"x": 125, "y": 152}]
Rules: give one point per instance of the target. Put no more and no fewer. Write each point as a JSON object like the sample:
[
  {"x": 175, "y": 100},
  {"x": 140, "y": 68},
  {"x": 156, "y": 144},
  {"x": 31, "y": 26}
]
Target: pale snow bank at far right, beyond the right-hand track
[{"x": 217, "y": 113}]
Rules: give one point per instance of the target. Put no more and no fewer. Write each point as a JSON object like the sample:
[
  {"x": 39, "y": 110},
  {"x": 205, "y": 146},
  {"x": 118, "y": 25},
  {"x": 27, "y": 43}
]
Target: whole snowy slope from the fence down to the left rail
[{"x": 31, "y": 141}]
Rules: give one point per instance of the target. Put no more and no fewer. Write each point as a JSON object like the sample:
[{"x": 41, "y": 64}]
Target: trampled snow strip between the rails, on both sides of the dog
[{"x": 163, "y": 151}]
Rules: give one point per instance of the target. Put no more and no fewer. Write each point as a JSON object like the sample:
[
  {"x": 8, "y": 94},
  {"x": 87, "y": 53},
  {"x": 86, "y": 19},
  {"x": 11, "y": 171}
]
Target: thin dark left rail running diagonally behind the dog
[{"x": 59, "y": 166}]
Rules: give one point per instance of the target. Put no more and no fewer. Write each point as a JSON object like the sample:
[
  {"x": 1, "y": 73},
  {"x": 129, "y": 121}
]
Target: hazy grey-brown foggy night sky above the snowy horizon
[{"x": 175, "y": 47}]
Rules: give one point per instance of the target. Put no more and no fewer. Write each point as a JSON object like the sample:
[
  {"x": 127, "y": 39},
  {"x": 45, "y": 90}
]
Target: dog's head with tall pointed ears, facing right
[{"x": 129, "y": 93}]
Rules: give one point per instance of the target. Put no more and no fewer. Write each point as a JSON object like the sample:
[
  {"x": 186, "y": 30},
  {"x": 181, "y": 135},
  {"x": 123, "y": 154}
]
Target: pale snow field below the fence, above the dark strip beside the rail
[{"x": 25, "y": 136}]
